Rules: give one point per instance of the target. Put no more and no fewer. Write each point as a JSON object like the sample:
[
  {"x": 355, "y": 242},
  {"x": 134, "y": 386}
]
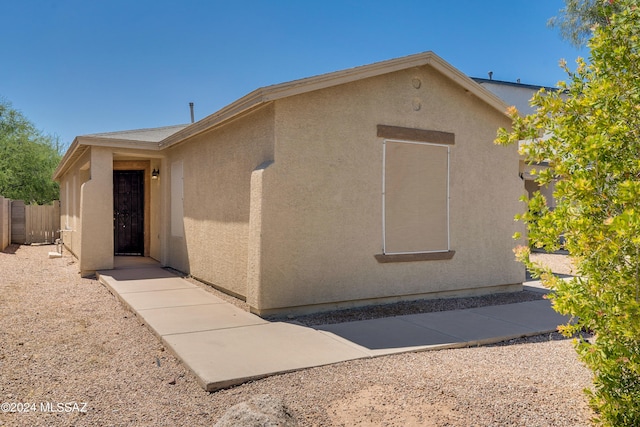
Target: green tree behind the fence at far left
[{"x": 27, "y": 159}]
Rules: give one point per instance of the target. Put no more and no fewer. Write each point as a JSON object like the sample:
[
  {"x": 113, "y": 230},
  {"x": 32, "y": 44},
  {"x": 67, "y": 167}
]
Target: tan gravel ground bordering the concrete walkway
[{"x": 64, "y": 339}]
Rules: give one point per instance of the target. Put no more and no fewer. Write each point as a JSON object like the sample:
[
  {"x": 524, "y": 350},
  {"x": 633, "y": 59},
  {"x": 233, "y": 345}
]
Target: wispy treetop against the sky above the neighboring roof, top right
[{"x": 578, "y": 18}]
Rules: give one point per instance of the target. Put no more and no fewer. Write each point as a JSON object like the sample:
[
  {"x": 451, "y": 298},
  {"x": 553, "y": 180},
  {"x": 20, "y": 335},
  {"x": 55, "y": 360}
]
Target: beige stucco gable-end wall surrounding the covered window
[{"x": 321, "y": 200}]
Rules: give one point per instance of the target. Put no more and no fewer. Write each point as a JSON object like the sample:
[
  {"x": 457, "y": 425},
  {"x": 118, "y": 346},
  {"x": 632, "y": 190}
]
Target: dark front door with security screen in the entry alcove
[{"x": 128, "y": 212}]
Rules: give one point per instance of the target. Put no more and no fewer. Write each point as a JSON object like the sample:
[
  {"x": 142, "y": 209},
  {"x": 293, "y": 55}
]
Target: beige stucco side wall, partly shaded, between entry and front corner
[{"x": 217, "y": 183}]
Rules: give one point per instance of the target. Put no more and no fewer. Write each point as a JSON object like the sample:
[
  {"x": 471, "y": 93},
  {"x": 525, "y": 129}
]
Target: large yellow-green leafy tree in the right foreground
[{"x": 589, "y": 133}]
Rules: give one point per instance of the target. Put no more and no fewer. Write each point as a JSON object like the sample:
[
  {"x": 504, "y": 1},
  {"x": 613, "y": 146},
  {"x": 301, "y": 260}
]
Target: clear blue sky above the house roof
[{"x": 76, "y": 67}]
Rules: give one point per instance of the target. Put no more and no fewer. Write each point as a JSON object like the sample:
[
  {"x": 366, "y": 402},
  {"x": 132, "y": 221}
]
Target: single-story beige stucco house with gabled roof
[{"x": 372, "y": 184}]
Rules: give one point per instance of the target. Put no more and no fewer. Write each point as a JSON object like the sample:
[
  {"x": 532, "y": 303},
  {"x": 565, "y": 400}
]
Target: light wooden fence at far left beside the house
[{"x": 27, "y": 224}]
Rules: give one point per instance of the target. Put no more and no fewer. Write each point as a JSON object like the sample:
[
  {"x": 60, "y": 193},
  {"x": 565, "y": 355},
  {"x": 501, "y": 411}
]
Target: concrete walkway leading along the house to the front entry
[{"x": 224, "y": 345}]
